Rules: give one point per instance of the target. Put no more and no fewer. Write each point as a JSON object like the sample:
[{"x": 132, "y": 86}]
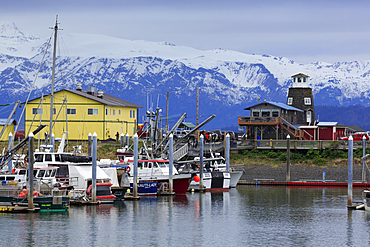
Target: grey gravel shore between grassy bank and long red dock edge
[{"x": 299, "y": 172}]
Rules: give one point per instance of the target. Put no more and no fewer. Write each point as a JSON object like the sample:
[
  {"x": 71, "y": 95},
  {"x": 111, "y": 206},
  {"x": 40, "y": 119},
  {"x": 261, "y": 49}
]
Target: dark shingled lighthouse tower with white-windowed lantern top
[{"x": 300, "y": 96}]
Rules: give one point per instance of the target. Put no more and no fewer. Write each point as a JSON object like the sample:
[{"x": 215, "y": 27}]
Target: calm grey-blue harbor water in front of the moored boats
[{"x": 245, "y": 216}]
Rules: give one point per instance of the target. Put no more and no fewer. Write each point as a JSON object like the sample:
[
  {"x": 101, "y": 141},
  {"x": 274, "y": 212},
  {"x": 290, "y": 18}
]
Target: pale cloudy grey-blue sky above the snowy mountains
[{"x": 304, "y": 31}]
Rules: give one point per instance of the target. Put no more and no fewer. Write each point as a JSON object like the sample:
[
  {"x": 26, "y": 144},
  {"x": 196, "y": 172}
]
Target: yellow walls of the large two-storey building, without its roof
[{"x": 81, "y": 123}]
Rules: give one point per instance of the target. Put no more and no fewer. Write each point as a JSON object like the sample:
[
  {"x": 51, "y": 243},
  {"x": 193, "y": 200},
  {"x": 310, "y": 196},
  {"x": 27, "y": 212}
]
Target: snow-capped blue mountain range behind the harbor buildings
[{"x": 143, "y": 71}]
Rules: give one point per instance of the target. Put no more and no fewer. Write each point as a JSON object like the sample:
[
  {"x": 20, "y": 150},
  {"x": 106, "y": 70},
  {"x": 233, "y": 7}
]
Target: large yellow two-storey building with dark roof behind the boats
[{"x": 82, "y": 112}]
